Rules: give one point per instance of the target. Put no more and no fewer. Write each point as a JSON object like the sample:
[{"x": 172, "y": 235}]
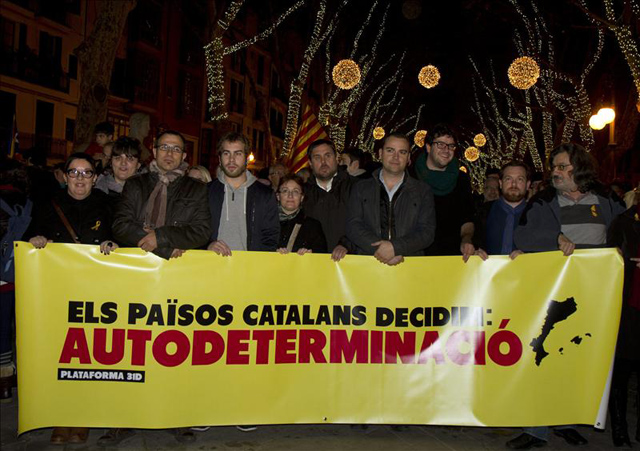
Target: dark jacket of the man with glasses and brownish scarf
[{"x": 187, "y": 223}]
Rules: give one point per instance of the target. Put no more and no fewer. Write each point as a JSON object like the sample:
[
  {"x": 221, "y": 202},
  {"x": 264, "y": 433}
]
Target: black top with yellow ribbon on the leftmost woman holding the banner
[{"x": 90, "y": 218}]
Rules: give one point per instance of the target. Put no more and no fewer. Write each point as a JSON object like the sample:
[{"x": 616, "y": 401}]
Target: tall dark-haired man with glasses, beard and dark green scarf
[{"x": 451, "y": 189}]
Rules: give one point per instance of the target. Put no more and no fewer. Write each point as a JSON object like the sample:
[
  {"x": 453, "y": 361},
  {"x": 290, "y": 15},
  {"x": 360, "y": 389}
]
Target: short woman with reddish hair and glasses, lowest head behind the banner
[{"x": 298, "y": 232}]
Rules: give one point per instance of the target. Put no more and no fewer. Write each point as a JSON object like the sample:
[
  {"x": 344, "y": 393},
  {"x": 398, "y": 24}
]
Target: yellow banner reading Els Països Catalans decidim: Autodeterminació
[{"x": 131, "y": 340}]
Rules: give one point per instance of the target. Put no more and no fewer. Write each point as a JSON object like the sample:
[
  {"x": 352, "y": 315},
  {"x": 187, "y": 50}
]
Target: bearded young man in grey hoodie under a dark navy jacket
[{"x": 244, "y": 214}]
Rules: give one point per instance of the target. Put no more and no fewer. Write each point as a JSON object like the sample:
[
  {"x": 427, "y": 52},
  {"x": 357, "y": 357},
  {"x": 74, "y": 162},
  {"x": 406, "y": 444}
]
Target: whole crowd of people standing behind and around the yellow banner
[{"x": 418, "y": 204}]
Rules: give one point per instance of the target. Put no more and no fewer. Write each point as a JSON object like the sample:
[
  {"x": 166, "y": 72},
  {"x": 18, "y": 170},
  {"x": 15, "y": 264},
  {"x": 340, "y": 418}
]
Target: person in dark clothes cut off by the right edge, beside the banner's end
[{"x": 625, "y": 234}]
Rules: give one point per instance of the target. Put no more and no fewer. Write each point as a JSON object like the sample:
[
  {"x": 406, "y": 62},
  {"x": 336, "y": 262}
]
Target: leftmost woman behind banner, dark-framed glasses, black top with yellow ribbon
[{"x": 79, "y": 215}]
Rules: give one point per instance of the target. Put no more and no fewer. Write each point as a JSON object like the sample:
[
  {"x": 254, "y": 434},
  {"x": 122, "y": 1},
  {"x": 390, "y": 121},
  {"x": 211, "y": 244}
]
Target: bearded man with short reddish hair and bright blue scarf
[{"x": 498, "y": 219}]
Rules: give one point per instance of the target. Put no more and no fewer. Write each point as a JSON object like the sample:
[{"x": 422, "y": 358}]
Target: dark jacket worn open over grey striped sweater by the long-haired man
[{"x": 540, "y": 224}]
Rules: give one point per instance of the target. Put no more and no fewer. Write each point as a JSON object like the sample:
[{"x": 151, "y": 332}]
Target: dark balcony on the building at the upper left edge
[{"x": 27, "y": 66}]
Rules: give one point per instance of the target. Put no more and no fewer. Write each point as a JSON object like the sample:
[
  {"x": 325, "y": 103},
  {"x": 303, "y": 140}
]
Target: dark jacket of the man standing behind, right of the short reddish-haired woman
[{"x": 330, "y": 208}]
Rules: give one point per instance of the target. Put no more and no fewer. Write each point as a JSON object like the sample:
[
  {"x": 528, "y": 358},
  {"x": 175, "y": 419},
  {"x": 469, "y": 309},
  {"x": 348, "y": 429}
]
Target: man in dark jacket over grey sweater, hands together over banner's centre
[{"x": 391, "y": 215}]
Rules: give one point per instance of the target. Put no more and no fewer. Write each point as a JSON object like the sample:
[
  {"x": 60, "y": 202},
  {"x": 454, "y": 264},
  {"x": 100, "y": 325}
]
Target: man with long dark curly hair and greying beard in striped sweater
[{"x": 568, "y": 215}]
